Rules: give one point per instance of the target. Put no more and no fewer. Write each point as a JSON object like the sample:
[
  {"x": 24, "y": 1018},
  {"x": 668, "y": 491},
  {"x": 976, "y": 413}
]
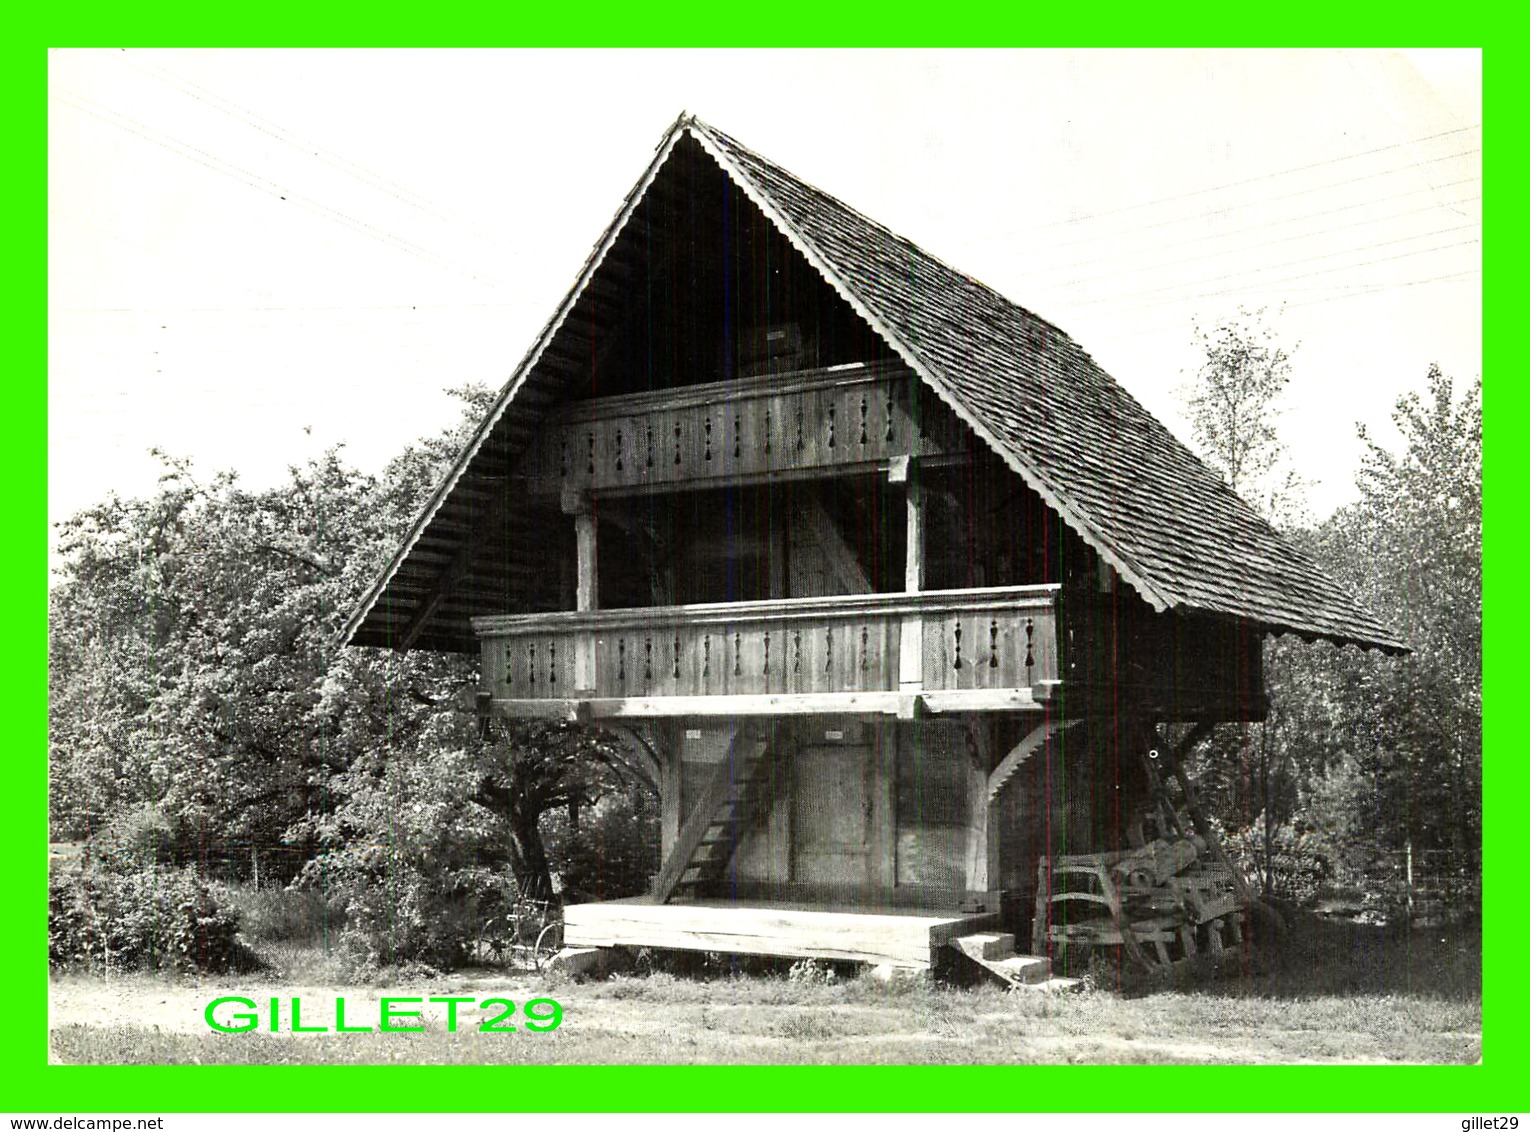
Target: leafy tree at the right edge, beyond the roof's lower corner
[{"x": 1413, "y": 550}]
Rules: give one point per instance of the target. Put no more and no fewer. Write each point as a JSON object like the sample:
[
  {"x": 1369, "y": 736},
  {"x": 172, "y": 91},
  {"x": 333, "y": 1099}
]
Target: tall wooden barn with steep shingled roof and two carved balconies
[{"x": 891, "y": 584}]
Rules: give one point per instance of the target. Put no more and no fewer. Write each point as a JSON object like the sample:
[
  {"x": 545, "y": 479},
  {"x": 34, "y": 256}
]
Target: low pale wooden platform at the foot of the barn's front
[{"x": 900, "y": 938}]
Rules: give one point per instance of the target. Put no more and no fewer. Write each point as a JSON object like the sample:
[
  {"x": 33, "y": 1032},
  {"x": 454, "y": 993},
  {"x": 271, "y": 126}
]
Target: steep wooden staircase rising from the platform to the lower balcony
[{"x": 726, "y": 810}]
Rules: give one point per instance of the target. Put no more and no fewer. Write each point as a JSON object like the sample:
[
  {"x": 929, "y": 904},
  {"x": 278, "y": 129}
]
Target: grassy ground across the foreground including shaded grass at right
[{"x": 1332, "y": 994}]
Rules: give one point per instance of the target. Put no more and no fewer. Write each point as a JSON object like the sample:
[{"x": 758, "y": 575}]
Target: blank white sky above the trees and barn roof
[{"x": 256, "y": 255}]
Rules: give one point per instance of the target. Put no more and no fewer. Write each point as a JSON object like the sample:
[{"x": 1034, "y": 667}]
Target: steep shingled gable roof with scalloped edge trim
[{"x": 1171, "y": 529}]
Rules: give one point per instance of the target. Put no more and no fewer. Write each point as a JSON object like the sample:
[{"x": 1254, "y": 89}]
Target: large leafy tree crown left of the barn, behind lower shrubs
[{"x": 194, "y": 655}]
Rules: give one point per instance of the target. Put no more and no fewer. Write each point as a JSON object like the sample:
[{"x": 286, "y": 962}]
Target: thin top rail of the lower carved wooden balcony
[{"x": 781, "y": 610}]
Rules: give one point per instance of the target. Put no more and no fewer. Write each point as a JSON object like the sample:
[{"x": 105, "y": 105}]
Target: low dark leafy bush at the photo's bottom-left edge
[{"x": 157, "y": 920}]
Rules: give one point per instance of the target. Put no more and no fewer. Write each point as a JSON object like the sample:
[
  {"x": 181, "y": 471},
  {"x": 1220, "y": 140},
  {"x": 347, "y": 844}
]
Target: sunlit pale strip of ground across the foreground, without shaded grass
[{"x": 662, "y": 1020}]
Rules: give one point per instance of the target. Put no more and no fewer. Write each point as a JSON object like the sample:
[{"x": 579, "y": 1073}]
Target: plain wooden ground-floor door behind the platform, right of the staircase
[{"x": 833, "y": 816}]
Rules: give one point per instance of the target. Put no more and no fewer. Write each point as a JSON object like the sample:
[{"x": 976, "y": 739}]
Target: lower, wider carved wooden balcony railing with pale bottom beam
[{"x": 971, "y": 651}]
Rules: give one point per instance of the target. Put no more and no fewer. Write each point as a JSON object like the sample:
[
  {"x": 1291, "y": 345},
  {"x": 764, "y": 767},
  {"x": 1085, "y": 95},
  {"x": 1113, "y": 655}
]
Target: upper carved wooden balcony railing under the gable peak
[{"x": 838, "y": 420}]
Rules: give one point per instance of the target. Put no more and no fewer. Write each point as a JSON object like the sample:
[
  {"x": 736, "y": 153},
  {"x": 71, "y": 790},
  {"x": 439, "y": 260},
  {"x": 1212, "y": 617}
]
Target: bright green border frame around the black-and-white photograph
[{"x": 36, "y": 1087}]
